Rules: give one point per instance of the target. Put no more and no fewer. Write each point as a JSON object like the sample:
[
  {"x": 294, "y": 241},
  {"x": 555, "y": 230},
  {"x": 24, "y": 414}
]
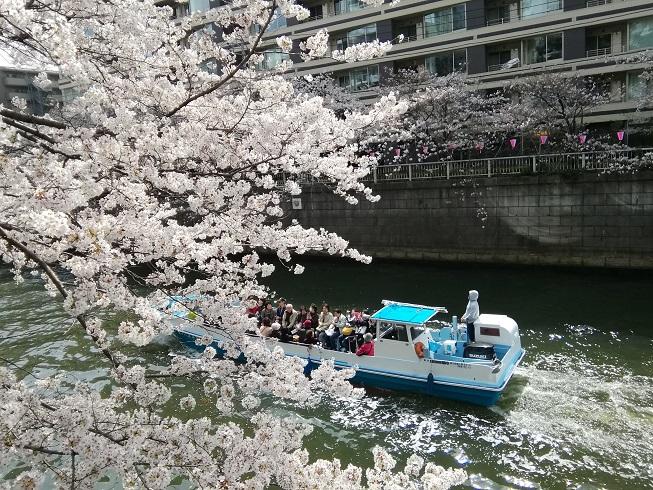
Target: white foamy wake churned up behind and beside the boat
[{"x": 581, "y": 418}]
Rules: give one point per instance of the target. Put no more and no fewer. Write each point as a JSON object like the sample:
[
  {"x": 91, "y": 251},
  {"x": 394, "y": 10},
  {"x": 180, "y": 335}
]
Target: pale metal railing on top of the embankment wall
[{"x": 489, "y": 167}]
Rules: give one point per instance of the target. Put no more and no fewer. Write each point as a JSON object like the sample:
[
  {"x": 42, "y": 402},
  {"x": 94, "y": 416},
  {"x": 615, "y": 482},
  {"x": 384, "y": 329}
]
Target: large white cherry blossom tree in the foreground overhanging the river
[{"x": 160, "y": 179}]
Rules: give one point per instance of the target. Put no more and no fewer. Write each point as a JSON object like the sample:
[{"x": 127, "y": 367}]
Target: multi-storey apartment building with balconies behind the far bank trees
[{"x": 492, "y": 41}]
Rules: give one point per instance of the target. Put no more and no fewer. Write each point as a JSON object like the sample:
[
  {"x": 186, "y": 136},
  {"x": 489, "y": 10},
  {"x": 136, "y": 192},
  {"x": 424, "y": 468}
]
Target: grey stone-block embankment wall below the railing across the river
[{"x": 587, "y": 219}]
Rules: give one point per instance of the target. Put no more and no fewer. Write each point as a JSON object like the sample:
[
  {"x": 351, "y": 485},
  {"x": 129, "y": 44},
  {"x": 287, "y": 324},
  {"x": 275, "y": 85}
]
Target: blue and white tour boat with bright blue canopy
[{"x": 444, "y": 365}]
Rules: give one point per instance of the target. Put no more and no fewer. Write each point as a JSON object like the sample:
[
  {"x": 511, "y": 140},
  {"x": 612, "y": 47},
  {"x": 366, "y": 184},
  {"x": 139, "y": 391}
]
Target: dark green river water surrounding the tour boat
[{"x": 578, "y": 414}]
